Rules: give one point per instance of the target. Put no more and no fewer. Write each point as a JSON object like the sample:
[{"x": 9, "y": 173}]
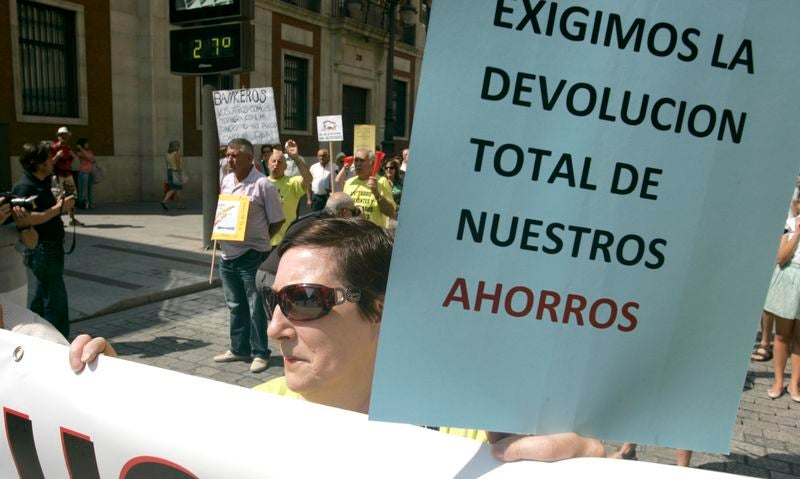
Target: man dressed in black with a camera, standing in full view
[{"x": 46, "y": 260}]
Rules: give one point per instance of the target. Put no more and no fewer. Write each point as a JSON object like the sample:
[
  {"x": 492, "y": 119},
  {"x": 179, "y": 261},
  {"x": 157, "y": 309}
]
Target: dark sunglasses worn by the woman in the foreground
[{"x": 307, "y": 301}]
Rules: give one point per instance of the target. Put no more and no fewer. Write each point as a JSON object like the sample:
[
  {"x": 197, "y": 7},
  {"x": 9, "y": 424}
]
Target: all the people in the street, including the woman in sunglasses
[{"x": 314, "y": 283}]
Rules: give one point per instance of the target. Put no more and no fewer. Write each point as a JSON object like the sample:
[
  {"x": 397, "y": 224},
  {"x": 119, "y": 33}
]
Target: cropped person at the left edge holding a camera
[{"x": 15, "y": 228}]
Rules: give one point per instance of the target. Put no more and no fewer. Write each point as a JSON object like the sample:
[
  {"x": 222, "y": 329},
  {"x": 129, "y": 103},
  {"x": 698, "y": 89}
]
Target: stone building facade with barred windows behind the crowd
[{"x": 102, "y": 68}]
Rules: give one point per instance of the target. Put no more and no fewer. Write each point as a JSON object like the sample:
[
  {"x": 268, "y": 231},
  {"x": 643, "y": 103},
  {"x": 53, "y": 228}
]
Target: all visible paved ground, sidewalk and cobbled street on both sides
[{"x": 139, "y": 277}]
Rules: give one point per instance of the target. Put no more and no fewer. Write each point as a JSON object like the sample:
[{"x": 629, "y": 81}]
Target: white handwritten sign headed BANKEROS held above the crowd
[{"x": 248, "y": 114}]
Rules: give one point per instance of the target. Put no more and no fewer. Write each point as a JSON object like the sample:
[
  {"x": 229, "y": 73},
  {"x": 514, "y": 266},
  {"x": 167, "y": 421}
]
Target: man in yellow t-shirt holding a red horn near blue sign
[{"x": 372, "y": 194}]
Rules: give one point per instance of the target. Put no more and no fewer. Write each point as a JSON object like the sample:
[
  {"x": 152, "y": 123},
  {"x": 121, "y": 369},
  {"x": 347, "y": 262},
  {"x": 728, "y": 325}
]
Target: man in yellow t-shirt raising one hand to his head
[{"x": 290, "y": 189}]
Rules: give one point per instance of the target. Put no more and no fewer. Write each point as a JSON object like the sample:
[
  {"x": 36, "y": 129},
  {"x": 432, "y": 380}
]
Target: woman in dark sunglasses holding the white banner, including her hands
[{"x": 327, "y": 302}]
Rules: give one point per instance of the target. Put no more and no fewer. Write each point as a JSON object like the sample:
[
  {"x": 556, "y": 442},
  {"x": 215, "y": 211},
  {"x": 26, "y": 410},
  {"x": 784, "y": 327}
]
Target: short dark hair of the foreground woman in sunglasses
[{"x": 363, "y": 253}]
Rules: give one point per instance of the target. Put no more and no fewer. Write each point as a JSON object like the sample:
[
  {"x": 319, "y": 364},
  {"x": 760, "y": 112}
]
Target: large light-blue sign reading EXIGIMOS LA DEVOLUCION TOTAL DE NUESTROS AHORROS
[{"x": 590, "y": 217}]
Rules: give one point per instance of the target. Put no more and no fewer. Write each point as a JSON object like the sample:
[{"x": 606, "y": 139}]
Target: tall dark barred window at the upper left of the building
[{"x": 48, "y": 60}]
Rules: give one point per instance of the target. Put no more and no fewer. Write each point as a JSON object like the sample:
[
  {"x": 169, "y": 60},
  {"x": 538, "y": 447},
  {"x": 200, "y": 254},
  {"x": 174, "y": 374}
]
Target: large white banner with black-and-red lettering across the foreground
[{"x": 122, "y": 419}]
